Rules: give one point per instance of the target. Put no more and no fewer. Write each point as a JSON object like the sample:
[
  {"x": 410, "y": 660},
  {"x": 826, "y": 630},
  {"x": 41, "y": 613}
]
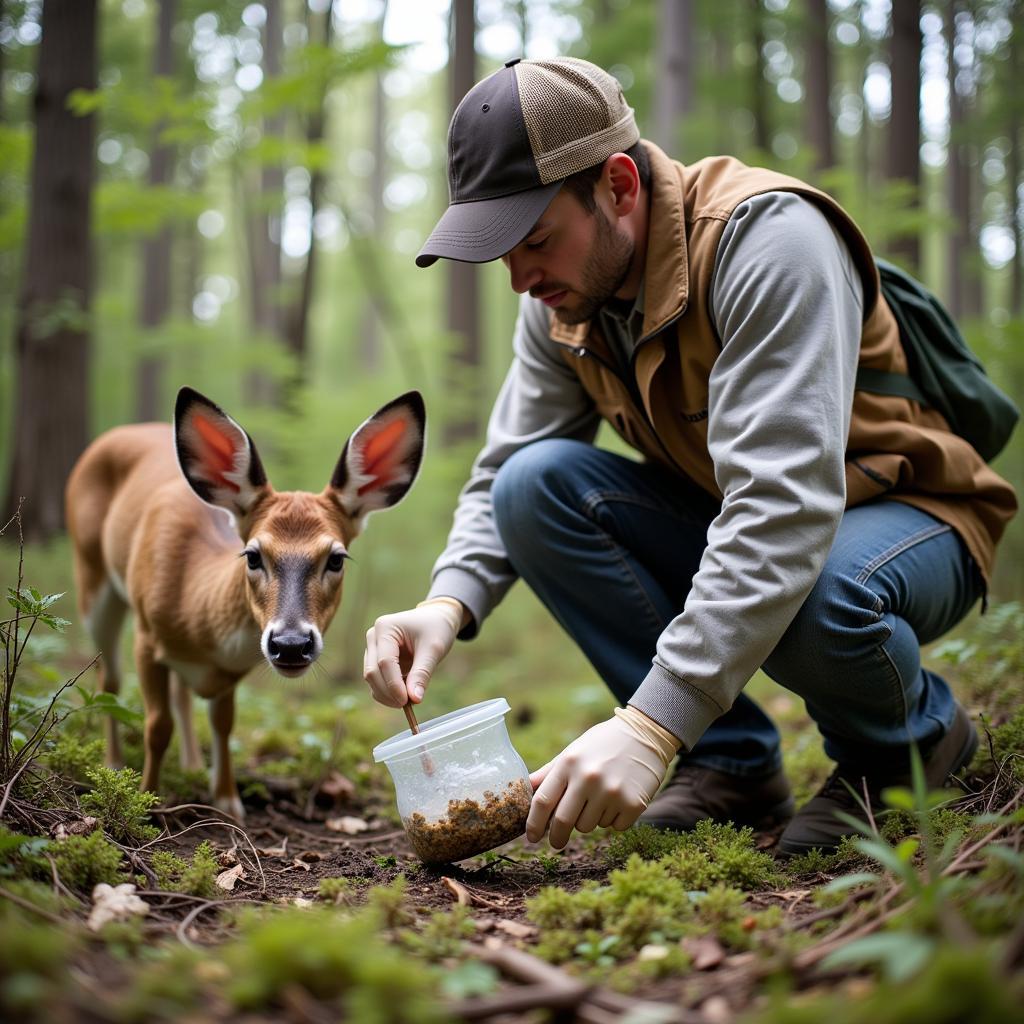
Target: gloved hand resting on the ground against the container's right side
[{"x": 607, "y": 778}]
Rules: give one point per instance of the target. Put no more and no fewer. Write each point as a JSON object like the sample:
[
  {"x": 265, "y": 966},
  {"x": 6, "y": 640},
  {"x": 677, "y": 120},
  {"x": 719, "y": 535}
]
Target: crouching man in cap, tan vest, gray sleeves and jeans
[{"x": 715, "y": 316}]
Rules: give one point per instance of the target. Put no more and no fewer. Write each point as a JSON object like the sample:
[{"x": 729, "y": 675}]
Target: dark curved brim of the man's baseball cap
[{"x": 487, "y": 229}]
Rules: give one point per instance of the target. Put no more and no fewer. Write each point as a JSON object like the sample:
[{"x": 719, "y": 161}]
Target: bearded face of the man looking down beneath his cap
[{"x": 573, "y": 261}]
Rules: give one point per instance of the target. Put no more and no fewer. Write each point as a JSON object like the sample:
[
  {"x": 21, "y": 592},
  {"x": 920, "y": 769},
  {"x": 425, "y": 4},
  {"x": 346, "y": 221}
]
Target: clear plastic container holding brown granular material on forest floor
[{"x": 462, "y": 789}]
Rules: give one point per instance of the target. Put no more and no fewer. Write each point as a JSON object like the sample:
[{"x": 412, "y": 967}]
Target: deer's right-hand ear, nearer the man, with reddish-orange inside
[{"x": 380, "y": 461}]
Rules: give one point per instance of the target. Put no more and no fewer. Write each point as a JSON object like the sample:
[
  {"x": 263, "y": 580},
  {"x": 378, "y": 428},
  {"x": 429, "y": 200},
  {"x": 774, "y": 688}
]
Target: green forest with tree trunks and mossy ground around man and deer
[{"x": 231, "y": 196}]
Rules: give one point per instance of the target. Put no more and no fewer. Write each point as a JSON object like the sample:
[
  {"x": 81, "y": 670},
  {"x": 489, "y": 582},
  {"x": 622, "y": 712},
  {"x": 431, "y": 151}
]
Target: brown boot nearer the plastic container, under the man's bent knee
[{"x": 696, "y": 793}]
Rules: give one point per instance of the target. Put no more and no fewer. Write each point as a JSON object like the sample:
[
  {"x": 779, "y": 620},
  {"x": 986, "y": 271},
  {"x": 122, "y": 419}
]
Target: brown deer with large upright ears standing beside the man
[{"x": 221, "y": 572}]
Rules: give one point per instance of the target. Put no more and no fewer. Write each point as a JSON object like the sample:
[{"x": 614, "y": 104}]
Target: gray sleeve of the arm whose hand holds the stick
[{"x": 541, "y": 398}]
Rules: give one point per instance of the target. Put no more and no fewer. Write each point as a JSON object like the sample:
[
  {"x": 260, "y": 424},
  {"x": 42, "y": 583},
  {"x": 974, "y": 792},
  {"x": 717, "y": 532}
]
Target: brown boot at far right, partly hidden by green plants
[{"x": 817, "y": 827}]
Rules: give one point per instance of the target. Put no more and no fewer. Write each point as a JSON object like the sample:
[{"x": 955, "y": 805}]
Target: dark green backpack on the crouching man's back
[{"x": 945, "y": 374}]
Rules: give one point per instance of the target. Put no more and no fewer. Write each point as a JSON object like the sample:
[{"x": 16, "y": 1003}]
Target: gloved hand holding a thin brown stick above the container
[{"x": 403, "y": 650}]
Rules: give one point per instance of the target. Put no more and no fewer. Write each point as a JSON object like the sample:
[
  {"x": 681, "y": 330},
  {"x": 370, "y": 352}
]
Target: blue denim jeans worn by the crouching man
[{"x": 611, "y": 547}]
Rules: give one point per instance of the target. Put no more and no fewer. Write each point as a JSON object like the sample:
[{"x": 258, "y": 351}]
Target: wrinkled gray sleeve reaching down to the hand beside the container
[{"x": 787, "y": 302}]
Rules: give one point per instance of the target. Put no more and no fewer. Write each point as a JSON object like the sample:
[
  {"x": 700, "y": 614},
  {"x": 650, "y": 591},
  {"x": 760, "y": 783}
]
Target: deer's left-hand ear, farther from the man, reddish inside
[{"x": 217, "y": 456}]
